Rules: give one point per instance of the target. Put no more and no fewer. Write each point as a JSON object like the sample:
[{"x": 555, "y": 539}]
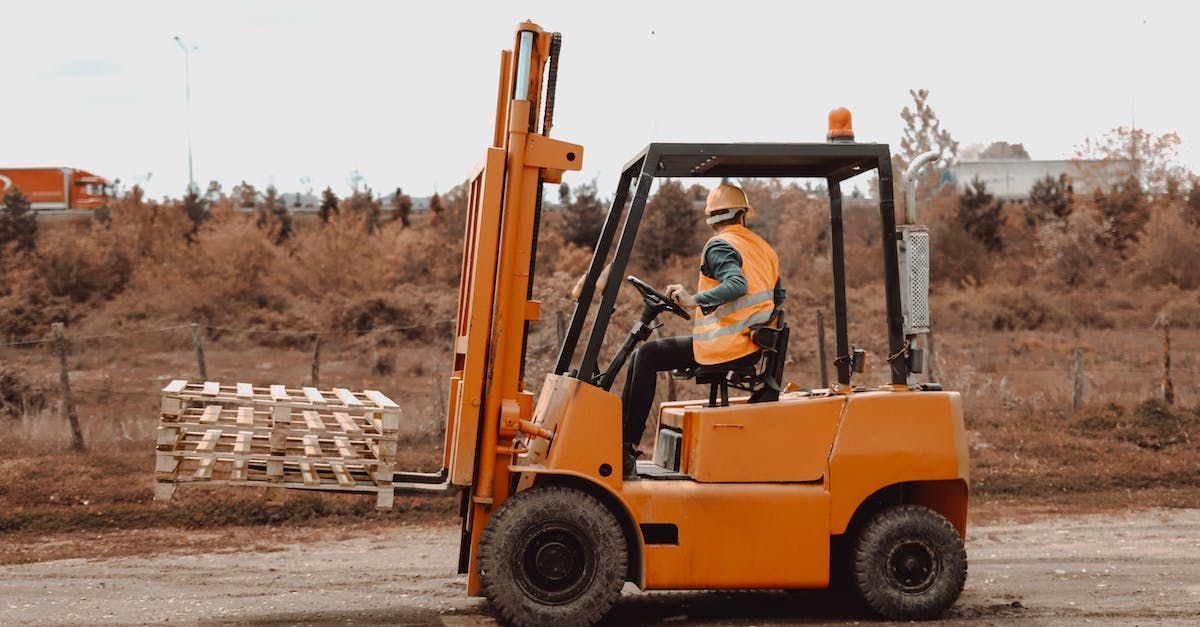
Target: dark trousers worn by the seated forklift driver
[{"x": 649, "y": 361}]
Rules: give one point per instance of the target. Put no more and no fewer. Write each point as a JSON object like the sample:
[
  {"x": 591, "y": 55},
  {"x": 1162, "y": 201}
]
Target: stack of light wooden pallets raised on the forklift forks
[{"x": 275, "y": 437}]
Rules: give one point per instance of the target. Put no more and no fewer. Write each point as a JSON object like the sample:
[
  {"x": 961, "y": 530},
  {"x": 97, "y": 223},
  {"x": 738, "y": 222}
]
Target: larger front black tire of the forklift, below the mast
[{"x": 553, "y": 557}]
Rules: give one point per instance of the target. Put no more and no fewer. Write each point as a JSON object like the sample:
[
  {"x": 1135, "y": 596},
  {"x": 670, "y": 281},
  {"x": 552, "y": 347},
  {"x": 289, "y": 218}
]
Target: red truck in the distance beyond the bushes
[{"x": 57, "y": 188}]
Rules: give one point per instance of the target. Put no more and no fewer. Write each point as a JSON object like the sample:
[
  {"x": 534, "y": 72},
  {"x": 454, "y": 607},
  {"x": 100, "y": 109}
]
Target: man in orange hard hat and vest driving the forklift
[{"x": 739, "y": 288}]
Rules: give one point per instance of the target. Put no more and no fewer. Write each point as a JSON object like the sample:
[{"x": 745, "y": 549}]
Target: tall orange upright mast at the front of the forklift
[{"x": 488, "y": 401}]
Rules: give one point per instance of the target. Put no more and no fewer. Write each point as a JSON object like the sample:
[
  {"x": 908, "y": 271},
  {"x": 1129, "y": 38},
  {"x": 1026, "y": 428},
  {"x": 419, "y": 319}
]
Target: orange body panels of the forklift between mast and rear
[{"x": 761, "y": 487}]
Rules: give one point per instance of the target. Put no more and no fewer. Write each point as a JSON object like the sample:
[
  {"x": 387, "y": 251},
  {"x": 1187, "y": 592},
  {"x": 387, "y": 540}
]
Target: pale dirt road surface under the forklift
[{"x": 1100, "y": 569}]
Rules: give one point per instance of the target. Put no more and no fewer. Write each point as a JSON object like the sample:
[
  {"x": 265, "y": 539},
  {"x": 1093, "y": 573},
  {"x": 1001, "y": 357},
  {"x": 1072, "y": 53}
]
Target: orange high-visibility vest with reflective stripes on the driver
[{"x": 724, "y": 336}]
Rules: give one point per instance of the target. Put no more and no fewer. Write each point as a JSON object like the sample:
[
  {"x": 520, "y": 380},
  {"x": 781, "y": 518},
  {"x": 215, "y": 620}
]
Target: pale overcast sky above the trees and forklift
[{"x": 405, "y": 92}]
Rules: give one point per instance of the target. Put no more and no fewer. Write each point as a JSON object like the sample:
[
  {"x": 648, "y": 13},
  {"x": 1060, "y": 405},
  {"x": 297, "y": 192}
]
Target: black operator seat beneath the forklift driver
[{"x": 763, "y": 381}]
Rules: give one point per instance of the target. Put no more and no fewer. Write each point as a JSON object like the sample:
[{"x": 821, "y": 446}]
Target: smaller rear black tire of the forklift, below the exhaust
[{"x": 909, "y": 564}]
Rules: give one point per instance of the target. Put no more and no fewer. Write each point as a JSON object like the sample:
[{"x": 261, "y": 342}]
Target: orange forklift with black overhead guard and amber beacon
[{"x": 778, "y": 489}]
